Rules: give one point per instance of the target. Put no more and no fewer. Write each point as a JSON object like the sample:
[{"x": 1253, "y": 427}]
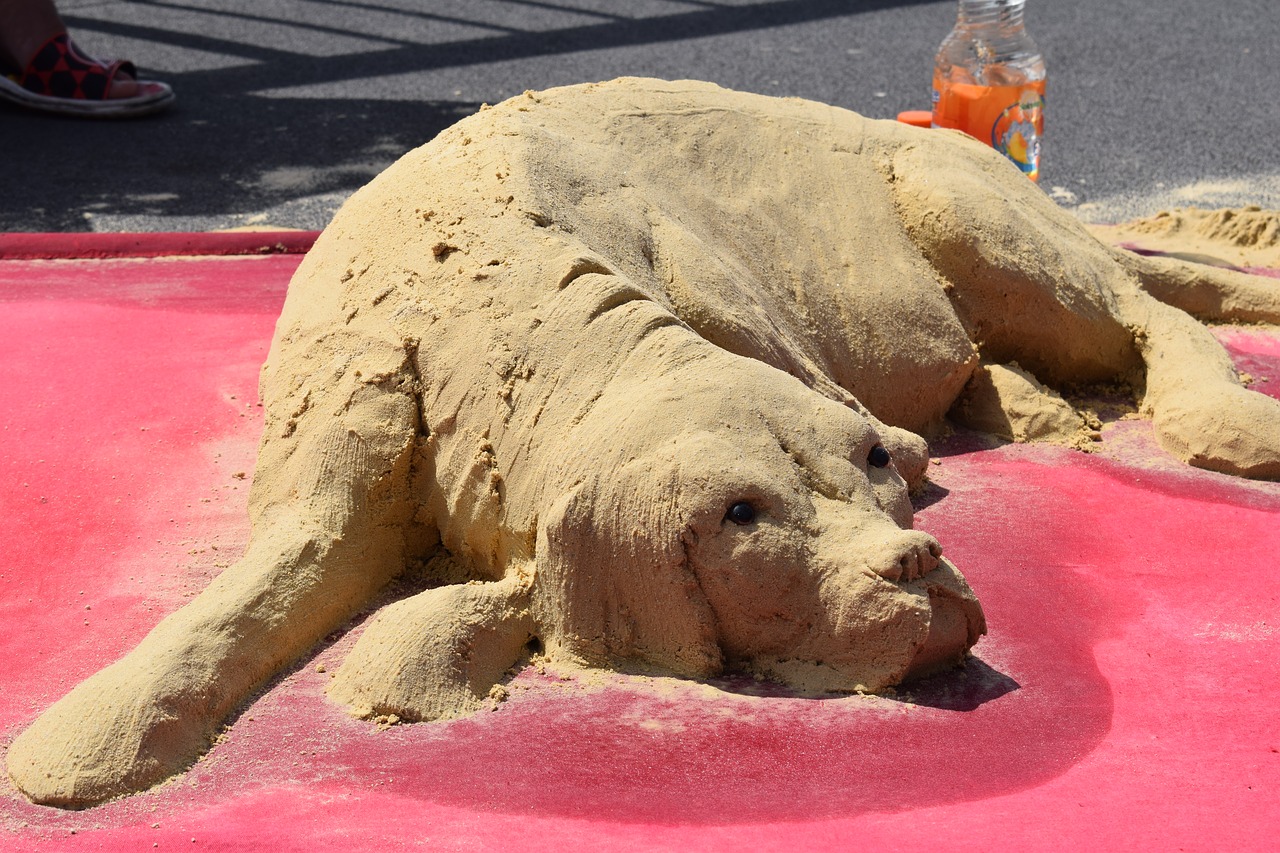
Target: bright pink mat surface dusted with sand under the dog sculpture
[{"x": 1127, "y": 697}]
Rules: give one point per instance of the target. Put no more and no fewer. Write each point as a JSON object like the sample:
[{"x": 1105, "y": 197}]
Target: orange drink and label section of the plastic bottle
[{"x": 1008, "y": 118}]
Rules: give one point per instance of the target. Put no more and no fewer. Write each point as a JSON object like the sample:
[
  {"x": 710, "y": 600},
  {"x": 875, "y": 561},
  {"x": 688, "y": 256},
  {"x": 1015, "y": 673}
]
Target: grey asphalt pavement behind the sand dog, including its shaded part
[{"x": 286, "y": 107}]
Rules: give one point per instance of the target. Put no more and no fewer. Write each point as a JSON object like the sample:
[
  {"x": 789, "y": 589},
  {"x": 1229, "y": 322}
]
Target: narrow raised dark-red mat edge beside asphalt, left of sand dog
[{"x": 54, "y": 247}]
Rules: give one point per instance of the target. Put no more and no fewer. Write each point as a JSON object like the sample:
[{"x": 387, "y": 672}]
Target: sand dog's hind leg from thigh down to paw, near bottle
[{"x": 1034, "y": 286}]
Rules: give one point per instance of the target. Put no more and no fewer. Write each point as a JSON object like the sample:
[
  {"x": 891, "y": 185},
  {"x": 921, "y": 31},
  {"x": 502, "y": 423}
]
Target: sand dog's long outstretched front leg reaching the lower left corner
[{"x": 330, "y": 509}]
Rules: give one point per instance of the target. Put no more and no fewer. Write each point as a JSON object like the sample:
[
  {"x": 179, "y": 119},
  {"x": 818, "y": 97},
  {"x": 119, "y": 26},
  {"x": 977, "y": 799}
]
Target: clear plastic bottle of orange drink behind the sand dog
[{"x": 989, "y": 81}]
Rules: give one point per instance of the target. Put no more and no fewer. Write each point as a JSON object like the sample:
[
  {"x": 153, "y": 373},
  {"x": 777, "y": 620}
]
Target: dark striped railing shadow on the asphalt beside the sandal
[{"x": 231, "y": 148}]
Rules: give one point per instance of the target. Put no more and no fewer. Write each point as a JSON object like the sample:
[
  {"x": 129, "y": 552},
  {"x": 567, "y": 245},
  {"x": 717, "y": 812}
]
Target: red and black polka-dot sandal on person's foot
[{"x": 61, "y": 79}]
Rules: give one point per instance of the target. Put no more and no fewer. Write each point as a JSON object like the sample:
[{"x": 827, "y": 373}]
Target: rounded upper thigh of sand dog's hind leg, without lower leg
[{"x": 1028, "y": 282}]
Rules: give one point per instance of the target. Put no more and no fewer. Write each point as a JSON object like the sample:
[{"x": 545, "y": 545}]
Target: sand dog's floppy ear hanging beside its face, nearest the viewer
[{"x": 612, "y": 581}]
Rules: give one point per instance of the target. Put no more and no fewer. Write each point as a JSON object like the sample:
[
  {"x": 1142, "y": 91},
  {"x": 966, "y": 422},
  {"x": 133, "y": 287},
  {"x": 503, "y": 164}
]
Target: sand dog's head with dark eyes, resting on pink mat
[{"x": 770, "y": 532}]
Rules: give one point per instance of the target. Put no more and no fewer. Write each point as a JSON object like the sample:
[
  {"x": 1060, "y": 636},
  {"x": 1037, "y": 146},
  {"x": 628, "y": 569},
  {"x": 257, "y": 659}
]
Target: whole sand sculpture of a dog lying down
[{"x": 639, "y": 371}]
